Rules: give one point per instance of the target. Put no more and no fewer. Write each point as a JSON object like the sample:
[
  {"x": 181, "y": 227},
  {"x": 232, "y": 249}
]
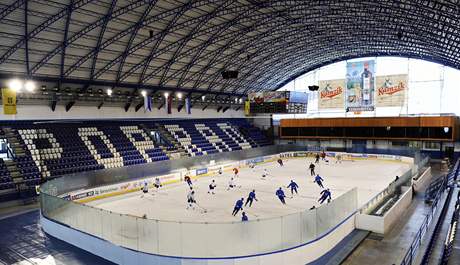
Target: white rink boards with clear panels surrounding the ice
[{"x": 299, "y": 238}]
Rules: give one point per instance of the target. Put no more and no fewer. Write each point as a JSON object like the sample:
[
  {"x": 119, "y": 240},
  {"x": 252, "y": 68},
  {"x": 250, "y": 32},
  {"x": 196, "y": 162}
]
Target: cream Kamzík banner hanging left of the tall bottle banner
[{"x": 331, "y": 94}]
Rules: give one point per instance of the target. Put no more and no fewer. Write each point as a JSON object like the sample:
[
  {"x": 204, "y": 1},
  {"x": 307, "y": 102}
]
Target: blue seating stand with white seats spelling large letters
[{"x": 50, "y": 149}]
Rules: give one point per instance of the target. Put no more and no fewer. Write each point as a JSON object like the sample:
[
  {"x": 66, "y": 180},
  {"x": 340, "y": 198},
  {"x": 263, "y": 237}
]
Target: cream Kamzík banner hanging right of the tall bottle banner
[{"x": 391, "y": 90}]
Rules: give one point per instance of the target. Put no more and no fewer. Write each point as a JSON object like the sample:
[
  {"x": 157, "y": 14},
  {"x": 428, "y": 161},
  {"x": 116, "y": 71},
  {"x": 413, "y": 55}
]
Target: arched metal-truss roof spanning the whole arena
[{"x": 185, "y": 45}]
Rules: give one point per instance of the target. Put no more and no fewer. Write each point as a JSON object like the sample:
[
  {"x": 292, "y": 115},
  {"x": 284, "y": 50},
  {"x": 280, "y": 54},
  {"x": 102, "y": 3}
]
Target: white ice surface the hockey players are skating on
[{"x": 169, "y": 202}]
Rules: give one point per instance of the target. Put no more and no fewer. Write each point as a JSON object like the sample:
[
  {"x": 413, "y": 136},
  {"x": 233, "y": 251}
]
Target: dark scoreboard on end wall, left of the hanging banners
[{"x": 276, "y": 102}]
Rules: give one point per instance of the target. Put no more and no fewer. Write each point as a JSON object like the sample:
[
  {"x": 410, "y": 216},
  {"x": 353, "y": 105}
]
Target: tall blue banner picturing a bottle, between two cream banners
[{"x": 360, "y": 86}]
